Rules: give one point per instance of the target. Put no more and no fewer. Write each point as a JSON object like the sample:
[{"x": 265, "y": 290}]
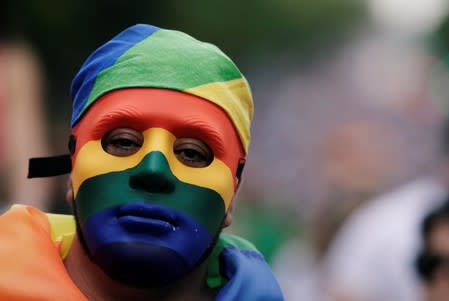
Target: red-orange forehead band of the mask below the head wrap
[{"x": 184, "y": 115}]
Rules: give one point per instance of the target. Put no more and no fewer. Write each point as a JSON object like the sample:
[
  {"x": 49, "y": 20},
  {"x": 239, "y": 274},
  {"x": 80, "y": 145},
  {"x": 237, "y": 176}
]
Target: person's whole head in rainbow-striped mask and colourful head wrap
[{"x": 147, "y": 218}]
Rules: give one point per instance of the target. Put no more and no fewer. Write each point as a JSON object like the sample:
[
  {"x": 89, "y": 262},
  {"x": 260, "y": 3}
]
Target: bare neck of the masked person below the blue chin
[{"x": 96, "y": 285}]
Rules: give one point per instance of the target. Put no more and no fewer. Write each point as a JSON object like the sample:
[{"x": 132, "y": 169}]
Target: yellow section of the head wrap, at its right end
[{"x": 235, "y": 98}]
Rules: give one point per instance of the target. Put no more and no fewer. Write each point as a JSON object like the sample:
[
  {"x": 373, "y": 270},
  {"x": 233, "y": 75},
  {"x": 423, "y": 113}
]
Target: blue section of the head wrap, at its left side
[{"x": 103, "y": 58}]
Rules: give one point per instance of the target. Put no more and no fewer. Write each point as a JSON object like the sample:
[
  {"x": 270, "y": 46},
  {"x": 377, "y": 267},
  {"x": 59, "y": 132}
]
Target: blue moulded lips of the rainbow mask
[{"x": 140, "y": 216}]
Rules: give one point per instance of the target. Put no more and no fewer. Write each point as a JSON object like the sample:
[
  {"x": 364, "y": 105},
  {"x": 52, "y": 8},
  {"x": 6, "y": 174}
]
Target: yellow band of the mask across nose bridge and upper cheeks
[{"x": 92, "y": 161}]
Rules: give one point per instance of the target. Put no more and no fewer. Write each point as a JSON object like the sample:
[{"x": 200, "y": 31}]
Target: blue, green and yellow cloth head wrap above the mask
[{"x": 148, "y": 56}]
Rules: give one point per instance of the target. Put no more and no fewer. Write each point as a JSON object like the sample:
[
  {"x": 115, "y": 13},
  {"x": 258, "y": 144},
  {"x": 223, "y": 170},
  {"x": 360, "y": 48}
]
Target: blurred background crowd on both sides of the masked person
[{"x": 346, "y": 191}]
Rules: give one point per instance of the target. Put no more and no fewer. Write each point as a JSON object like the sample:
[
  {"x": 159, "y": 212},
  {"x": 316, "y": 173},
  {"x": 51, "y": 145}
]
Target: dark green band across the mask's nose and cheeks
[{"x": 112, "y": 189}]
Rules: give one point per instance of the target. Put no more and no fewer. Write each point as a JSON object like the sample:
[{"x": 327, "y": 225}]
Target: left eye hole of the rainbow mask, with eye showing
[{"x": 122, "y": 142}]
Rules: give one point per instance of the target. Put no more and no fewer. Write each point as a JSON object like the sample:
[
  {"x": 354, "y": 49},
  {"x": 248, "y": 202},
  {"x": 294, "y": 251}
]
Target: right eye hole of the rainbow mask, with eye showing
[{"x": 193, "y": 152}]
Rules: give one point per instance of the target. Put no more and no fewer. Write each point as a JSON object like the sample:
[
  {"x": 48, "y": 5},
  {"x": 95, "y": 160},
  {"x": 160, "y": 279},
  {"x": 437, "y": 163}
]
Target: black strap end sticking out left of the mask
[{"x": 49, "y": 166}]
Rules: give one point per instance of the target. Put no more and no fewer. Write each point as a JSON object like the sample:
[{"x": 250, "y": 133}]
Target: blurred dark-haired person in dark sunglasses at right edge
[{"x": 432, "y": 262}]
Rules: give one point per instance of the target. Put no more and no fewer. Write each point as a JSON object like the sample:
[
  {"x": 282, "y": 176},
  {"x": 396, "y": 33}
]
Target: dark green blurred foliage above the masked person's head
[{"x": 65, "y": 32}]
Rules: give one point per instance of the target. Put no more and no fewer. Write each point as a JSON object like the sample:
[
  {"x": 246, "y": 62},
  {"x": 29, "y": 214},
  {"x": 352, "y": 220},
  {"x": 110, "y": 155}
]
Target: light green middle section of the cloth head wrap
[{"x": 166, "y": 59}]
